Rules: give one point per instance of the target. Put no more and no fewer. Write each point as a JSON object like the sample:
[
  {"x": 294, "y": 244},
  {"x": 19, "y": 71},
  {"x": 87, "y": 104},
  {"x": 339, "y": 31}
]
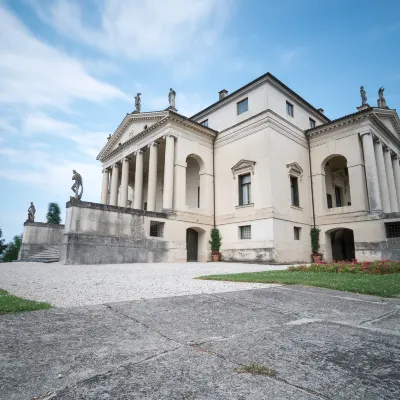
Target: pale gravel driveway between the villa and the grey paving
[{"x": 76, "y": 285}]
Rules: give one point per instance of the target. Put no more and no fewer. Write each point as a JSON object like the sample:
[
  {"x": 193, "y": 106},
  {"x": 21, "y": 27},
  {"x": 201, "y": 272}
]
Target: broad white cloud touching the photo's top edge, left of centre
[{"x": 139, "y": 29}]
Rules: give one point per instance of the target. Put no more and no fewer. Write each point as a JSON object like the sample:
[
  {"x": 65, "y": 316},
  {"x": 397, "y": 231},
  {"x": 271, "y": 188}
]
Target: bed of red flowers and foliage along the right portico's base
[{"x": 352, "y": 267}]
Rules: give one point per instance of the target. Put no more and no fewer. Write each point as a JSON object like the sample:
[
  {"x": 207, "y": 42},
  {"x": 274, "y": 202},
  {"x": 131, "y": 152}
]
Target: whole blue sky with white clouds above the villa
[{"x": 69, "y": 71}]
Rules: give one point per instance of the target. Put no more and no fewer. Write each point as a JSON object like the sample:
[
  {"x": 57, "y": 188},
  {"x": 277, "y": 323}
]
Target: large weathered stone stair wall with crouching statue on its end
[{"x": 101, "y": 234}]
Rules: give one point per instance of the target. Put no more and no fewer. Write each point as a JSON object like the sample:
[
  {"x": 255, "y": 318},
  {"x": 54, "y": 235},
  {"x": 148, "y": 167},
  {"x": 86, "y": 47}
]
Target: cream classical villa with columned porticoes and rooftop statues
[{"x": 261, "y": 164}]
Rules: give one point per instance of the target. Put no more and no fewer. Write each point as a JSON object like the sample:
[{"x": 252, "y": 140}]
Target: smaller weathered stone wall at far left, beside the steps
[{"x": 37, "y": 236}]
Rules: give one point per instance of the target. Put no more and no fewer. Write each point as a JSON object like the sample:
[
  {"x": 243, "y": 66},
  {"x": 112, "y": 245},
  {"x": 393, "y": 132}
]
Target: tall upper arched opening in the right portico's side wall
[{"x": 337, "y": 182}]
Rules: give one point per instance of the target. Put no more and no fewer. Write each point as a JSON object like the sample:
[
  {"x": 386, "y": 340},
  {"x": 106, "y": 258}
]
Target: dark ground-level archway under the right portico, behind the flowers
[{"x": 340, "y": 245}]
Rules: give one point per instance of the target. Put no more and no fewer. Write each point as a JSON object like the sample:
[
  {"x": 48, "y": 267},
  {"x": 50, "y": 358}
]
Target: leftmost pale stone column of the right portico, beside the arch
[{"x": 371, "y": 173}]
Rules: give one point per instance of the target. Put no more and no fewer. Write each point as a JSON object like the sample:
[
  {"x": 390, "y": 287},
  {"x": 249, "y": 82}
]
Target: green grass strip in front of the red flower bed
[{"x": 379, "y": 285}]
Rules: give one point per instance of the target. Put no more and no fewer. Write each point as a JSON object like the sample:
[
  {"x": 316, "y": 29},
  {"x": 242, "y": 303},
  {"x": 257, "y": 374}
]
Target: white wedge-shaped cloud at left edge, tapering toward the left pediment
[{"x": 36, "y": 74}]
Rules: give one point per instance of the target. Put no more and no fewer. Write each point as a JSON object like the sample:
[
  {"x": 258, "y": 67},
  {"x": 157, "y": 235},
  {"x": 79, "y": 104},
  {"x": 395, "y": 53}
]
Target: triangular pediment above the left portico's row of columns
[{"x": 132, "y": 125}]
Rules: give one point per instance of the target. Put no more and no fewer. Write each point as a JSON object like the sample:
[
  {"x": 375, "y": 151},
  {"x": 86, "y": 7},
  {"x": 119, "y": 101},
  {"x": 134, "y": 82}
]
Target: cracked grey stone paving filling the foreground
[{"x": 320, "y": 343}]
